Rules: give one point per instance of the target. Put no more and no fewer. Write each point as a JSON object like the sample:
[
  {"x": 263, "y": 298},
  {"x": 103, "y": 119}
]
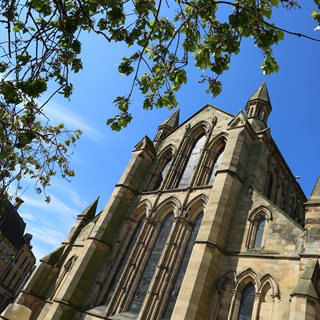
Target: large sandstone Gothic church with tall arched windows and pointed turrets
[{"x": 206, "y": 223}]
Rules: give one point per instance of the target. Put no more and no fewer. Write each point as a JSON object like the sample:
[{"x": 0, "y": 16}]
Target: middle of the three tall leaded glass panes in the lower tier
[{"x": 151, "y": 265}]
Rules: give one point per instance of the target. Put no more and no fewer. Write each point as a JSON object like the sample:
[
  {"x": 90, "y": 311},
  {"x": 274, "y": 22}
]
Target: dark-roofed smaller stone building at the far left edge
[{"x": 16, "y": 258}]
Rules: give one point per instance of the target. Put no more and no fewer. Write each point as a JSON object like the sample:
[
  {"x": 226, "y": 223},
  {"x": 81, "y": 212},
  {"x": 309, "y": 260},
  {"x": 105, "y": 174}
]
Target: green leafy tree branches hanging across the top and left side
[{"x": 42, "y": 46}]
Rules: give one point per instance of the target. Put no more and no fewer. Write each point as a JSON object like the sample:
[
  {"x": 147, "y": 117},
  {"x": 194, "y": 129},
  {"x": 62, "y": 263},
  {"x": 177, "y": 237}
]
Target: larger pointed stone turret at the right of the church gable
[{"x": 258, "y": 108}]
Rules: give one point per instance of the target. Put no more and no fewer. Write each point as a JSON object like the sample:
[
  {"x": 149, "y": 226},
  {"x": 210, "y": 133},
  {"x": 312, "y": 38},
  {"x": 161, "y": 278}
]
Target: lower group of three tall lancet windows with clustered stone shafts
[{"x": 152, "y": 268}]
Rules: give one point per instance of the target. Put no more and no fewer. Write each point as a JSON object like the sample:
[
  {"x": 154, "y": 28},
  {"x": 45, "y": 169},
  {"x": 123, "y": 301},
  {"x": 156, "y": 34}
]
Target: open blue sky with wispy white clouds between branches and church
[{"x": 101, "y": 155}]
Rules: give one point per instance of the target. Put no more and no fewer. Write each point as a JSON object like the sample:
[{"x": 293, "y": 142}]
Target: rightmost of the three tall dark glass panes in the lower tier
[{"x": 182, "y": 270}]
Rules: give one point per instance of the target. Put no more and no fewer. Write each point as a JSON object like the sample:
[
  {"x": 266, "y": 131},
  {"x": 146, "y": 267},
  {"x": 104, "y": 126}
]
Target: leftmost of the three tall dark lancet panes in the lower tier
[{"x": 123, "y": 262}]
